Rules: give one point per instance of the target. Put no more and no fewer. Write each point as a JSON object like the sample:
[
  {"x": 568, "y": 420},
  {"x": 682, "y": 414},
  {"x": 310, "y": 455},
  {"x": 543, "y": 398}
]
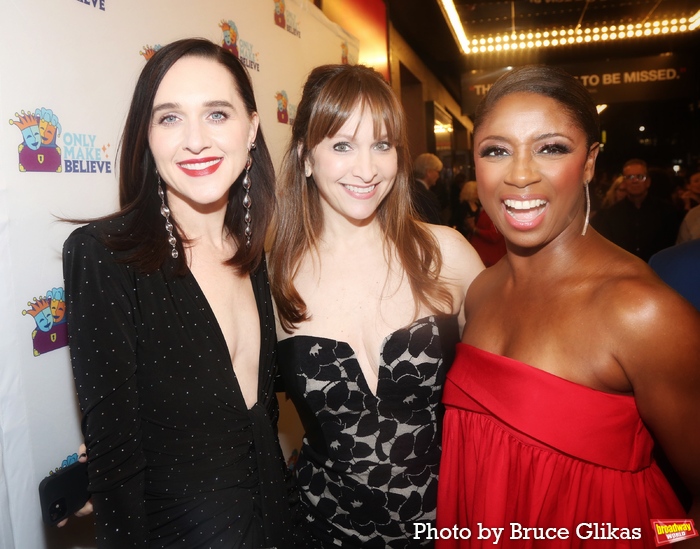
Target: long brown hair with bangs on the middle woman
[{"x": 330, "y": 96}]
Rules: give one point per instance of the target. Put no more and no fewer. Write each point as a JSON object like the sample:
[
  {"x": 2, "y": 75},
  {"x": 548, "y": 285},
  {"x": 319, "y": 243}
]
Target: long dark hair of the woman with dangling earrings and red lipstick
[{"x": 145, "y": 238}]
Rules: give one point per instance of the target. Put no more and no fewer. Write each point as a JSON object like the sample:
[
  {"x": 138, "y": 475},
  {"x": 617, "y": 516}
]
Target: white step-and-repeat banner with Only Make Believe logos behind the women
[{"x": 67, "y": 72}]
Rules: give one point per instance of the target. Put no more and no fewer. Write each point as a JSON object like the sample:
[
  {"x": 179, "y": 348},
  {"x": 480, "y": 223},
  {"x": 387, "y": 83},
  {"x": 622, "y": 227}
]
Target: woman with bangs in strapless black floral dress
[{"x": 369, "y": 304}]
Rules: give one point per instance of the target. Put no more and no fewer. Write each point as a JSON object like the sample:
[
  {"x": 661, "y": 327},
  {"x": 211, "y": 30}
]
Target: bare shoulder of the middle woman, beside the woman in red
[{"x": 460, "y": 261}]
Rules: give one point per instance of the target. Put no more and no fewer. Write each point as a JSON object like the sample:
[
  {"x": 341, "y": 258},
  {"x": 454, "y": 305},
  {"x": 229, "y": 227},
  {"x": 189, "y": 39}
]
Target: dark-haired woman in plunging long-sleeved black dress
[{"x": 171, "y": 323}]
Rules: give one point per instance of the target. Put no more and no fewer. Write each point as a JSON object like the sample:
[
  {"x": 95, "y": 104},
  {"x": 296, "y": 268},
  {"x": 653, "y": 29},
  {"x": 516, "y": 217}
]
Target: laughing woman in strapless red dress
[{"x": 574, "y": 354}]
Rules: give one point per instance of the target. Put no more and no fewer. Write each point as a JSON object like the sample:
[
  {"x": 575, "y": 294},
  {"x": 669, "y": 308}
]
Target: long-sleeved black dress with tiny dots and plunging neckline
[{"x": 176, "y": 459}]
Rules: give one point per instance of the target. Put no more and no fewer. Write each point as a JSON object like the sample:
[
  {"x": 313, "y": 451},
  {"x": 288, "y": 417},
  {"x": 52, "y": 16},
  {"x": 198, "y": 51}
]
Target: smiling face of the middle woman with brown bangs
[{"x": 354, "y": 170}]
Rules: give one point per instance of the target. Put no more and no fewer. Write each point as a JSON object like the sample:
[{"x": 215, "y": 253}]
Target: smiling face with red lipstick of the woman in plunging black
[{"x": 200, "y": 133}]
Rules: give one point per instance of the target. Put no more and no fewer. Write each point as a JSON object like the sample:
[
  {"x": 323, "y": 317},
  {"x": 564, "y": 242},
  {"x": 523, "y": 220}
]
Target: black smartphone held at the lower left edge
[{"x": 63, "y": 493}]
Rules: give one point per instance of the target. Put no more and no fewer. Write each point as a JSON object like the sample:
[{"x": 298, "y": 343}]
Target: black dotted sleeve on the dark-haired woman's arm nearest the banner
[{"x": 102, "y": 318}]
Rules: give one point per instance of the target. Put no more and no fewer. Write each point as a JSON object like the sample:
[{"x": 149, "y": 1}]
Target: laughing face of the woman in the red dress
[{"x": 531, "y": 164}]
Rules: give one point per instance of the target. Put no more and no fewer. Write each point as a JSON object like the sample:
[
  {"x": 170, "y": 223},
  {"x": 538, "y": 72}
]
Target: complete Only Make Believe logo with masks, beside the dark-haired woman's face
[{"x": 39, "y": 150}]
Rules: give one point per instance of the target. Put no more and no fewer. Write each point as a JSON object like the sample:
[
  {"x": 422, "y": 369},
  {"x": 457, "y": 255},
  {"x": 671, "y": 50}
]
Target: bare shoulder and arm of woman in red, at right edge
[{"x": 654, "y": 335}]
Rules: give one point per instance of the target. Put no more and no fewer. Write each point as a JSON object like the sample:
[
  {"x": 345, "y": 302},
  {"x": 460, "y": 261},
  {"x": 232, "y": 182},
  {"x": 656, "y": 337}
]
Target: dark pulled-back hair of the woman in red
[{"x": 550, "y": 82}]
